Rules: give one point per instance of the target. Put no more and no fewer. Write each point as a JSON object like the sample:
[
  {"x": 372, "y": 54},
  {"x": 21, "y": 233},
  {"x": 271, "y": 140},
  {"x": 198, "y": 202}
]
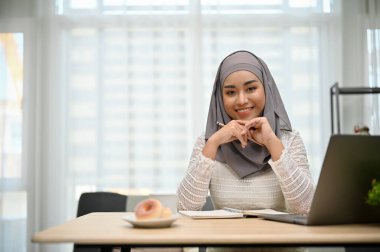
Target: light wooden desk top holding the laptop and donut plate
[{"x": 109, "y": 228}]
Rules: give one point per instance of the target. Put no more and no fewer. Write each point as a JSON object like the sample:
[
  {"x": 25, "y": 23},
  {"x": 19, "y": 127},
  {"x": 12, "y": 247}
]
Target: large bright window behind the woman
[{"x": 138, "y": 77}]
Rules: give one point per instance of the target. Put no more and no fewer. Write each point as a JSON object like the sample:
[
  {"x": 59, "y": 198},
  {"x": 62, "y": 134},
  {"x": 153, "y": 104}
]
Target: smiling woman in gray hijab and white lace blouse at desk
[{"x": 249, "y": 157}]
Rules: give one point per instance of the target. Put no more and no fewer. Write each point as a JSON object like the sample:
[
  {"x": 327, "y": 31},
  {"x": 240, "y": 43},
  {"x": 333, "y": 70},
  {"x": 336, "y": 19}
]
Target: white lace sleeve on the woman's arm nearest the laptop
[{"x": 292, "y": 170}]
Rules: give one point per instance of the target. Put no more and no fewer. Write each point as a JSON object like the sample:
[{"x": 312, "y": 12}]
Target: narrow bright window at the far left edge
[{"x": 12, "y": 176}]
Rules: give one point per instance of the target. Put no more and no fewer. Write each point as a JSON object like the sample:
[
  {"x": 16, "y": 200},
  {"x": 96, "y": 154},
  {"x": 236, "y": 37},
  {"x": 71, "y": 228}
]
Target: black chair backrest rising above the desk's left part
[{"x": 101, "y": 202}]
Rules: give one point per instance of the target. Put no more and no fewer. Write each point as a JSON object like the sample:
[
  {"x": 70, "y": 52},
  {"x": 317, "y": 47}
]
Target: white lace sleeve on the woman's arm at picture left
[{"x": 193, "y": 189}]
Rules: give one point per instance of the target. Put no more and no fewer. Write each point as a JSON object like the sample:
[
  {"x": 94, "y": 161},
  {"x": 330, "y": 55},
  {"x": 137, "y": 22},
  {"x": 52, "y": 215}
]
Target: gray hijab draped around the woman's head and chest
[{"x": 254, "y": 157}]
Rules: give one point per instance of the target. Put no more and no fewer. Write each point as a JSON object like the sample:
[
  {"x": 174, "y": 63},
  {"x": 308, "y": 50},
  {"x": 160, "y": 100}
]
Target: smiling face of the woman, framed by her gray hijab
[{"x": 243, "y": 95}]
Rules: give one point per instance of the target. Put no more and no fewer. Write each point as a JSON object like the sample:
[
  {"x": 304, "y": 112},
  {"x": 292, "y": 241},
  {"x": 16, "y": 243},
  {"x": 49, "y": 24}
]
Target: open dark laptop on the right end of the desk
[{"x": 350, "y": 164}]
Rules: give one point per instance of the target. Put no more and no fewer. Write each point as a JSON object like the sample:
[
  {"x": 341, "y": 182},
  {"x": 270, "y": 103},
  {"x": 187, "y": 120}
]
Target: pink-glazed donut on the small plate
[{"x": 148, "y": 209}]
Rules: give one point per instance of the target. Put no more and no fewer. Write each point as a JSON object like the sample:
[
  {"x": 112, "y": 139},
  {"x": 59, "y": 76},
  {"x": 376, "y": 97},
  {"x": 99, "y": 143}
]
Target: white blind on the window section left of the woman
[{"x": 126, "y": 106}]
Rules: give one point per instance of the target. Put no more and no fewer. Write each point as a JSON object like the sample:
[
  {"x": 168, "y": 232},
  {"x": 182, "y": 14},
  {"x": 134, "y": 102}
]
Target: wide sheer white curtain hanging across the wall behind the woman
[{"x": 119, "y": 90}]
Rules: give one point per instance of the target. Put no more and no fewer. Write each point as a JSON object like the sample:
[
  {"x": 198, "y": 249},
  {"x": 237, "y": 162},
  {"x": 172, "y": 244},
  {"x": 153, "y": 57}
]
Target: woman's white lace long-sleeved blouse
[{"x": 287, "y": 186}]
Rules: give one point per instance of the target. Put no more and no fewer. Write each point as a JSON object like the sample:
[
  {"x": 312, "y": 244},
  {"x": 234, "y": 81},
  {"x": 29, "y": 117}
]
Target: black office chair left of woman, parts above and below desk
[{"x": 90, "y": 202}]
